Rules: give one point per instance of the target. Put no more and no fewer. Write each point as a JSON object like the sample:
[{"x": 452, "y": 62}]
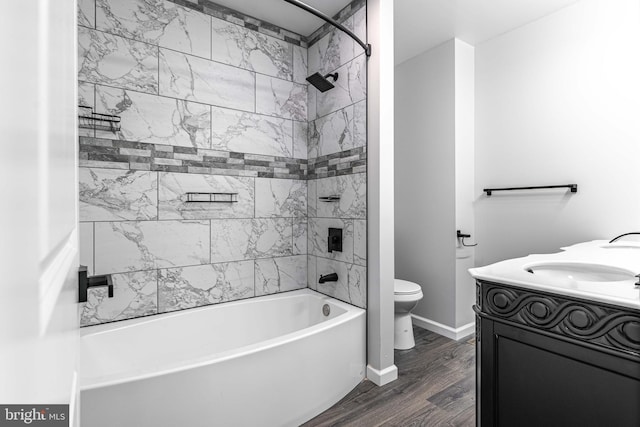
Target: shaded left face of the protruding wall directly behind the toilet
[{"x": 425, "y": 179}]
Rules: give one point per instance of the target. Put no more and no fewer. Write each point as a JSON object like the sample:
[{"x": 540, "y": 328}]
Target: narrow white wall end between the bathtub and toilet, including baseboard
[{"x": 380, "y": 191}]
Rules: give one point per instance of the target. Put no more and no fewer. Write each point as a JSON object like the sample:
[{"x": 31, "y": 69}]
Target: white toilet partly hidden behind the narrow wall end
[{"x": 406, "y": 296}]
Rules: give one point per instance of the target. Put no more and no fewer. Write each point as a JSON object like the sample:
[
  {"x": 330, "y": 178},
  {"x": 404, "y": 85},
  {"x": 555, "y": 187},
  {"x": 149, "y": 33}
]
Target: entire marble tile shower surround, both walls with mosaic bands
[{"x": 181, "y": 134}]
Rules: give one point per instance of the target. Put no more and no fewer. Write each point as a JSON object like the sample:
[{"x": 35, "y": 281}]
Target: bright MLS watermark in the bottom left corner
[{"x": 34, "y": 415}]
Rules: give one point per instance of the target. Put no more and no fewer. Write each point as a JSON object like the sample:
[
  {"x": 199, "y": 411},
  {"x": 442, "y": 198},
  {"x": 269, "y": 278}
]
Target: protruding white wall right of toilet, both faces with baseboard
[{"x": 434, "y": 183}]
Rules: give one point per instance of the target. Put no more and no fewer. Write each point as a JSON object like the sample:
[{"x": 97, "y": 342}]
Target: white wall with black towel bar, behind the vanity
[{"x": 558, "y": 101}]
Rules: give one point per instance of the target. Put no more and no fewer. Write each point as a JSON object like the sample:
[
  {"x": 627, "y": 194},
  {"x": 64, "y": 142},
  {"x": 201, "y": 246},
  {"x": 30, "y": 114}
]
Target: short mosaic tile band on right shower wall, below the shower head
[{"x": 335, "y": 164}]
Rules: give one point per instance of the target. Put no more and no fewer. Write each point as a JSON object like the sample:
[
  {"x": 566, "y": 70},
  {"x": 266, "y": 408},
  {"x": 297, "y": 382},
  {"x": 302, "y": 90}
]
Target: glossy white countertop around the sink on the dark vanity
[{"x": 622, "y": 255}]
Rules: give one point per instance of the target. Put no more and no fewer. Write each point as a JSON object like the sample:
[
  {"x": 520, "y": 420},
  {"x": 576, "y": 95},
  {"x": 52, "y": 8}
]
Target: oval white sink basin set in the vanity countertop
[{"x": 581, "y": 272}]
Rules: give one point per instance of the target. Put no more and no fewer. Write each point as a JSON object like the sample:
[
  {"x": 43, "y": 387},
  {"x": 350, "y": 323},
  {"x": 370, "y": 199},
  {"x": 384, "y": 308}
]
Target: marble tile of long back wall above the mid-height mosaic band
[{"x": 180, "y": 77}]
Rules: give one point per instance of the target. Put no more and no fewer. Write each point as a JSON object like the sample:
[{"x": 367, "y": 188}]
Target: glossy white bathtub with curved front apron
[{"x": 267, "y": 361}]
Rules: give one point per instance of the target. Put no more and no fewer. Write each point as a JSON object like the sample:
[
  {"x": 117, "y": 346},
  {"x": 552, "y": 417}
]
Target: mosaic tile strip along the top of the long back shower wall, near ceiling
[{"x": 222, "y": 12}]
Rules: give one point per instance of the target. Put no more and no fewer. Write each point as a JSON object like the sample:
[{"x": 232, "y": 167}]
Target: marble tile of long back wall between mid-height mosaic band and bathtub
[{"x": 168, "y": 254}]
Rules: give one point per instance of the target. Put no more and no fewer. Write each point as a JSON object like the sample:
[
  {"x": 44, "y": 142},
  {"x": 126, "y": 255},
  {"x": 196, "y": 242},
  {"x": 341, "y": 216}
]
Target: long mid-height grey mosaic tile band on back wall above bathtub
[{"x": 119, "y": 154}]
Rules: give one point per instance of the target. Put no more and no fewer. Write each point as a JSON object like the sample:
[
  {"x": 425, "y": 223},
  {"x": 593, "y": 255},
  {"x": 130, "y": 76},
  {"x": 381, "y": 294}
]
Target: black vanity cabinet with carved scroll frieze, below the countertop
[{"x": 548, "y": 360}]
